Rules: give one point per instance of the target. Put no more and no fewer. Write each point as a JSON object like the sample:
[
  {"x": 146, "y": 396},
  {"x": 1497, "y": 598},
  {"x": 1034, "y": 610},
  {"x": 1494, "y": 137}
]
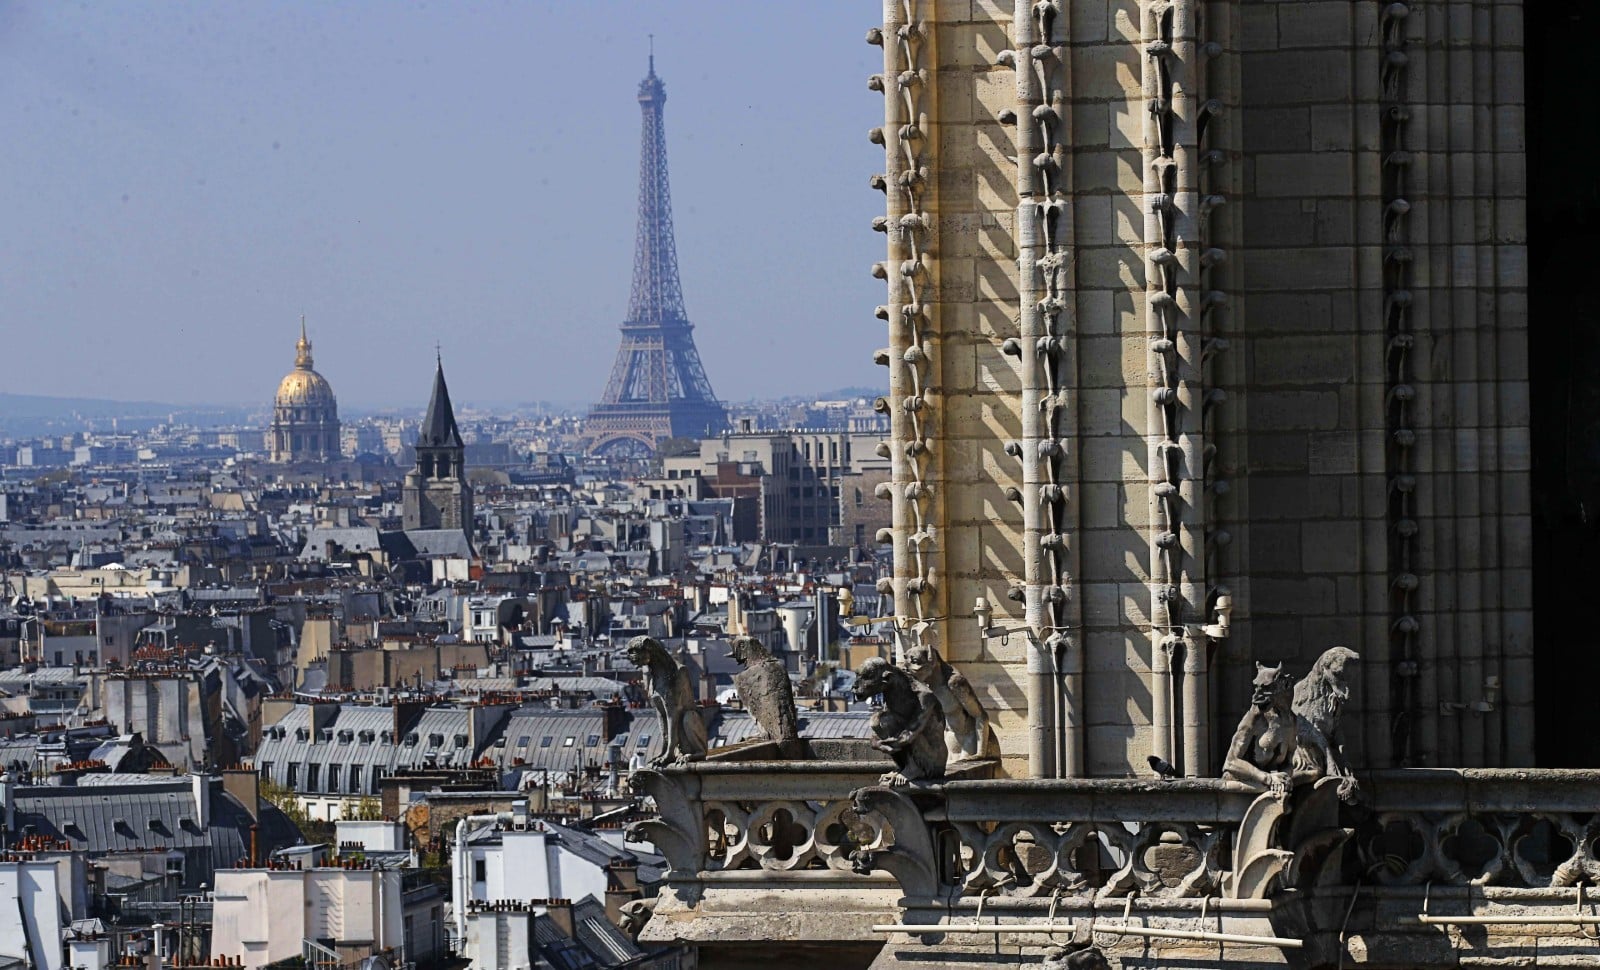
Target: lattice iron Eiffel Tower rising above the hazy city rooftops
[{"x": 658, "y": 388}]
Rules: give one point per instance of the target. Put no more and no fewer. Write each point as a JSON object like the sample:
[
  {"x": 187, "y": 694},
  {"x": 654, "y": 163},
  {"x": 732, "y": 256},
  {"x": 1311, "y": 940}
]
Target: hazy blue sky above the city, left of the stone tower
[{"x": 185, "y": 180}]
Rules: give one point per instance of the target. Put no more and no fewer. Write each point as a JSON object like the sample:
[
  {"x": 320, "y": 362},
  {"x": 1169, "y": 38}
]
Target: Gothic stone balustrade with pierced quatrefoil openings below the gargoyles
[{"x": 820, "y": 852}]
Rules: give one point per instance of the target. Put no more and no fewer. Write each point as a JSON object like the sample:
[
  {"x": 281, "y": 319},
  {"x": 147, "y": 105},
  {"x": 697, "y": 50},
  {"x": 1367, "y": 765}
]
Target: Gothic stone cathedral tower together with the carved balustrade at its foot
[{"x": 1207, "y": 348}]
